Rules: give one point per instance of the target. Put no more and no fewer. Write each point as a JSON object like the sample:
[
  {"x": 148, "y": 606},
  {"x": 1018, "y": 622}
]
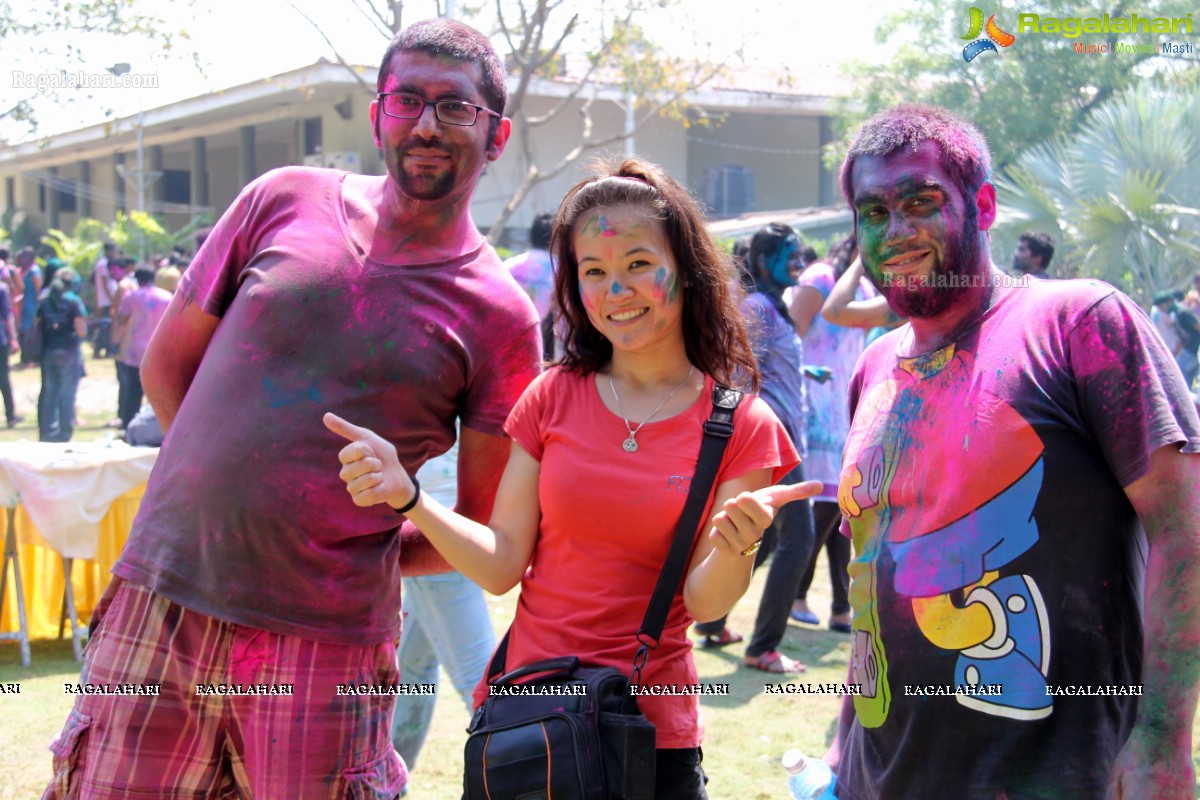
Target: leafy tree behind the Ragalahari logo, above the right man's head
[{"x": 1022, "y": 97}]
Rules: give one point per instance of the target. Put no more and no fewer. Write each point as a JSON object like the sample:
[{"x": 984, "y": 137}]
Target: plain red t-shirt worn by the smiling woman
[{"x": 608, "y": 521}]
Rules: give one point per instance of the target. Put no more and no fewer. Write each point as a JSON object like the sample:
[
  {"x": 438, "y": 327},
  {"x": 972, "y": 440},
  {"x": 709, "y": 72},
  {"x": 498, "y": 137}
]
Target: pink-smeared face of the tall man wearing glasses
[{"x": 427, "y": 159}]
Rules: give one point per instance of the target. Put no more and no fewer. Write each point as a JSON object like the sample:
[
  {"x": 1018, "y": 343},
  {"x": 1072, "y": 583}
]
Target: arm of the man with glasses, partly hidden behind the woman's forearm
[{"x": 482, "y": 460}]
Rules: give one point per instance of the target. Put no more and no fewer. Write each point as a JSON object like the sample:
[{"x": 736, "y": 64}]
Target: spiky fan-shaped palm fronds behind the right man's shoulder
[{"x": 1120, "y": 196}]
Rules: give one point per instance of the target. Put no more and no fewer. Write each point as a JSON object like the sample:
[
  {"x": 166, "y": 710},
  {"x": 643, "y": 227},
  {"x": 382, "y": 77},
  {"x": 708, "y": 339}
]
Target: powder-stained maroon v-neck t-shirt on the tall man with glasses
[{"x": 245, "y": 518}]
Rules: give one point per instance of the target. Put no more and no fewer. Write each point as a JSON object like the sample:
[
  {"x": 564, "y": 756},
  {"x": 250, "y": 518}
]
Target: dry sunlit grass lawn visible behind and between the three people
[{"x": 747, "y": 732}]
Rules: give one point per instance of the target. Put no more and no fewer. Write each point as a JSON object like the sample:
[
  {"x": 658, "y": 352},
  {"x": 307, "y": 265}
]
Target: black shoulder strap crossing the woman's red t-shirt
[{"x": 718, "y": 431}]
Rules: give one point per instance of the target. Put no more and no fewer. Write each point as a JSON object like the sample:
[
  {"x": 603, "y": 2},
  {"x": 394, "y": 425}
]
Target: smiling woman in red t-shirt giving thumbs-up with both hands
[{"x": 605, "y": 446}]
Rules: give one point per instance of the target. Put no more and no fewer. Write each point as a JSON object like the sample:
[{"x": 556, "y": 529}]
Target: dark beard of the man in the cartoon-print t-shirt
[{"x": 961, "y": 267}]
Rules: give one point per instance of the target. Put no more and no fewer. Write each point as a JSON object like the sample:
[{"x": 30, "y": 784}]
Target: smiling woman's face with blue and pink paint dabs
[{"x": 629, "y": 284}]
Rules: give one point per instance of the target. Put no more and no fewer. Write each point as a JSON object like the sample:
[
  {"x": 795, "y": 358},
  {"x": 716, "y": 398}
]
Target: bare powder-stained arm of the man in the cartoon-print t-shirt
[{"x": 1156, "y": 762}]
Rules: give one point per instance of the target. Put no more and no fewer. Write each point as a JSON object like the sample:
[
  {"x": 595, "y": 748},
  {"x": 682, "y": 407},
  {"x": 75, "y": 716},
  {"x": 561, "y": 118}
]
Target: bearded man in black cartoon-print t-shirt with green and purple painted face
[{"x": 1019, "y": 484}]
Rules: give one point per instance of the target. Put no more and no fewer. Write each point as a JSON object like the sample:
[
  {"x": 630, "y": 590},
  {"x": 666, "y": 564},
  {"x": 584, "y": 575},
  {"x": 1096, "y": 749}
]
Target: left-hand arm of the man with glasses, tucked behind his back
[{"x": 175, "y": 354}]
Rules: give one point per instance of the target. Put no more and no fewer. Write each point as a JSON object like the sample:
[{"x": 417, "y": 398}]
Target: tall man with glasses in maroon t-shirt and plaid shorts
[{"x": 253, "y": 590}]
